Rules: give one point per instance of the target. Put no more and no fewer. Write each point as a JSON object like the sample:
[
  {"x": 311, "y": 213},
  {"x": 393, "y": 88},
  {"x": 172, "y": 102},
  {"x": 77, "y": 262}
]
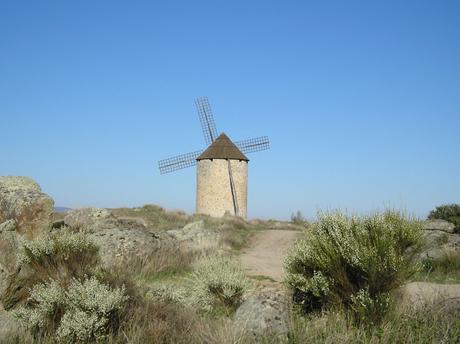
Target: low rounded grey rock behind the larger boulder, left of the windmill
[{"x": 90, "y": 218}]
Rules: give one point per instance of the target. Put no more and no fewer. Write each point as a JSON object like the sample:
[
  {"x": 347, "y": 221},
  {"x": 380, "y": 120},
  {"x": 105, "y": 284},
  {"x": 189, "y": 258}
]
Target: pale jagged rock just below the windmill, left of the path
[{"x": 195, "y": 236}]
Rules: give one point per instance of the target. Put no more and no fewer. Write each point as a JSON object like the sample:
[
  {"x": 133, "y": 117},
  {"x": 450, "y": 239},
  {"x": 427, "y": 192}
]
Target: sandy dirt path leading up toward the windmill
[{"x": 265, "y": 254}]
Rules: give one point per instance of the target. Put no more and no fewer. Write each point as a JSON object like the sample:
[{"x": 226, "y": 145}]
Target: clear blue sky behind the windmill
[{"x": 360, "y": 99}]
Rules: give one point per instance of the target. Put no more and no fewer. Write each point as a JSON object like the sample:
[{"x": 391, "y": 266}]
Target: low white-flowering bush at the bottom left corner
[{"x": 82, "y": 312}]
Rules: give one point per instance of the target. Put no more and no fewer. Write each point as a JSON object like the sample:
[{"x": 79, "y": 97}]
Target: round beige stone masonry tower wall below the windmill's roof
[{"x": 213, "y": 192}]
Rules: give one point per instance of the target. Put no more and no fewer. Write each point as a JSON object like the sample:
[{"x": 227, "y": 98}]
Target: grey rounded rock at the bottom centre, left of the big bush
[{"x": 263, "y": 314}]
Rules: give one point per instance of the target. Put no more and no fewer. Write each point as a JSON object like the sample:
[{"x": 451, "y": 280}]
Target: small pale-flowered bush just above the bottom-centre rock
[{"x": 218, "y": 281}]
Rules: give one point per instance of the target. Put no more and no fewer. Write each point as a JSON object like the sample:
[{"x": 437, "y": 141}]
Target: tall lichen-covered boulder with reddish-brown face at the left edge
[{"x": 22, "y": 200}]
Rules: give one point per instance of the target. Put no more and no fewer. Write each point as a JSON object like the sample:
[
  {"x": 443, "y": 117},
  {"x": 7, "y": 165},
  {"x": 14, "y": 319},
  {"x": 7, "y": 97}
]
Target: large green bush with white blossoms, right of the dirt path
[{"x": 352, "y": 261}]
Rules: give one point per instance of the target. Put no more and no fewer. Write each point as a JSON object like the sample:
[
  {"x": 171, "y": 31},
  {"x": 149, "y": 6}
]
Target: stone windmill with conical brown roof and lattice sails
[{"x": 222, "y": 168}]
